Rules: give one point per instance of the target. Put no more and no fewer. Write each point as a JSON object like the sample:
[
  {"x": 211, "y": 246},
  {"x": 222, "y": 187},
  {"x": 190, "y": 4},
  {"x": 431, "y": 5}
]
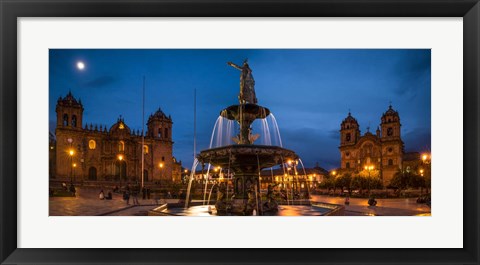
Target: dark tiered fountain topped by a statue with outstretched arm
[{"x": 244, "y": 160}]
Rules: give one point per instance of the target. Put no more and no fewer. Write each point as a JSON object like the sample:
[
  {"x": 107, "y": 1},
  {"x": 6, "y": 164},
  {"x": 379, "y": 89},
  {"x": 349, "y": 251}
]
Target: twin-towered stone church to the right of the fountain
[{"x": 382, "y": 151}]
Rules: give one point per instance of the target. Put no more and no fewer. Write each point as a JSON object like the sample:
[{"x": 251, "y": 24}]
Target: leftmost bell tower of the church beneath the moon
[{"x": 69, "y": 112}]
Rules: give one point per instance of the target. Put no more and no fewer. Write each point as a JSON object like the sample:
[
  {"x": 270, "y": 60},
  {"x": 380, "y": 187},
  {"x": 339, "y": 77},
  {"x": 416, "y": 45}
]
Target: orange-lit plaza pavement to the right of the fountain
[{"x": 387, "y": 207}]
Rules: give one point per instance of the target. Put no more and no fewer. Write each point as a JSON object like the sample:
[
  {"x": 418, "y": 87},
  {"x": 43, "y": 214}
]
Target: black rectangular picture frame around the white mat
[{"x": 11, "y": 10}]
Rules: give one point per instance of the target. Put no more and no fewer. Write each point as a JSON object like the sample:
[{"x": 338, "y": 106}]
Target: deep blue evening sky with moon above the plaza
[{"x": 309, "y": 91}]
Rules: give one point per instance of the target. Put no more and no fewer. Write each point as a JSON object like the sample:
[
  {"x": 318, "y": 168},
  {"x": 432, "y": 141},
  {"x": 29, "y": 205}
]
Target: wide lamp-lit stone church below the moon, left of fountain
[{"x": 94, "y": 152}]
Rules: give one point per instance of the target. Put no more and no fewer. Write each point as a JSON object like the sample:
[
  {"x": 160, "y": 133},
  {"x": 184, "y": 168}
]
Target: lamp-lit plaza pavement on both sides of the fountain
[{"x": 86, "y": 203}]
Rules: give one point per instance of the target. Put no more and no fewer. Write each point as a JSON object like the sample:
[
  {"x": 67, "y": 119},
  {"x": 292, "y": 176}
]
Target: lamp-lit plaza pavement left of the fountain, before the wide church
[{"x": 87, "y": 203}]
